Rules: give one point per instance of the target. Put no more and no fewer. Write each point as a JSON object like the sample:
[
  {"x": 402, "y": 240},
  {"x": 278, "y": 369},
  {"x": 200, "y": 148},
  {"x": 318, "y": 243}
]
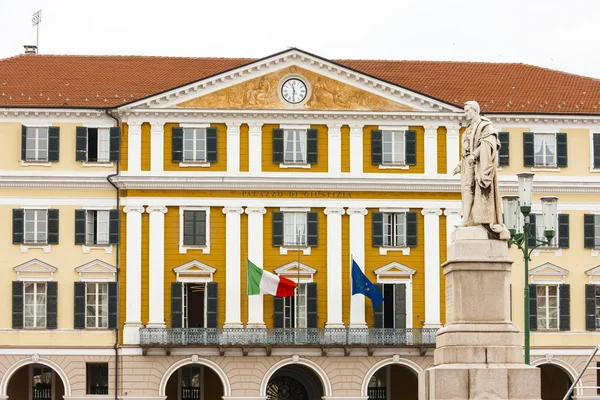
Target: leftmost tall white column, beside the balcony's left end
[{"x": 133, "y": 291}]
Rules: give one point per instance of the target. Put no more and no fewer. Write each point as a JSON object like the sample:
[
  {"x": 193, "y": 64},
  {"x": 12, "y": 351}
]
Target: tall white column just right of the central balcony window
[{"x": 334, "y": 267}]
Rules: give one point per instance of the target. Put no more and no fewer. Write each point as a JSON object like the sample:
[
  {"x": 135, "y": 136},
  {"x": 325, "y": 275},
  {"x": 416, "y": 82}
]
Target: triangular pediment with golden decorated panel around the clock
[{"x": 257, "y": 86}]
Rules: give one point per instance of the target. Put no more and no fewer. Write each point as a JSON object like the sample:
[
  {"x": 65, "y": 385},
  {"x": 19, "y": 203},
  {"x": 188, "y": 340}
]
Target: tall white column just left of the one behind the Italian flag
[{"x": 232, "y": 267}]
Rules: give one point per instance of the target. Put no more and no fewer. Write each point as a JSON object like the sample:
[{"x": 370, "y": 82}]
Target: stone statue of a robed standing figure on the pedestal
[{"x": 479, "y": 178}]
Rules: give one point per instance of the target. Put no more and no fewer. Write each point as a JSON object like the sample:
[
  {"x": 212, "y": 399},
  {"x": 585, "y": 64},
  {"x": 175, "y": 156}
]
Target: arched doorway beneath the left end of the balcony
[{"x": 194, "y": 382}]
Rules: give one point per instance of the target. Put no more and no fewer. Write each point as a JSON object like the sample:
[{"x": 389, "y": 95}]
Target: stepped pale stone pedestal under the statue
[{"x": 478, "y": 352}]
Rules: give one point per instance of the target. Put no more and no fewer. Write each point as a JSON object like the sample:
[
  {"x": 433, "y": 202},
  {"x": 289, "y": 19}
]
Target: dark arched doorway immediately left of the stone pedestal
[{"x": 393, "y": 382}]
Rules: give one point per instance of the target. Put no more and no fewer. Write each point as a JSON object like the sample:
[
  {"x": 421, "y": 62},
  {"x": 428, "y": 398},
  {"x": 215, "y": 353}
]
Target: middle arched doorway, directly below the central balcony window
[{"x": 294, "y": 382}]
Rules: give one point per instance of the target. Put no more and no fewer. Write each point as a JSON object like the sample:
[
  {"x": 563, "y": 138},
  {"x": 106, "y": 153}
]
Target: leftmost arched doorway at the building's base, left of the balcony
[{"x": 37, "y": 382}]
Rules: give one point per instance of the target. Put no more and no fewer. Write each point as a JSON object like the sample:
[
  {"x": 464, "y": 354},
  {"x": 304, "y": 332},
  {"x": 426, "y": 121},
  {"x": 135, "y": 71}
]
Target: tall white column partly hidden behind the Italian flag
[{"x": 255, "y": 254}]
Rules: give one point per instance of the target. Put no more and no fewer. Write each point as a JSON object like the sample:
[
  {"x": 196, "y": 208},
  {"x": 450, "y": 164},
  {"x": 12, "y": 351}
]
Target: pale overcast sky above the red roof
[{"x": 558, "y": 34}]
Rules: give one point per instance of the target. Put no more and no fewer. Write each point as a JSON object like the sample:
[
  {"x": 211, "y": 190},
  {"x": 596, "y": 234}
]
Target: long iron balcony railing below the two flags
[{"x": 156, "y": 337}]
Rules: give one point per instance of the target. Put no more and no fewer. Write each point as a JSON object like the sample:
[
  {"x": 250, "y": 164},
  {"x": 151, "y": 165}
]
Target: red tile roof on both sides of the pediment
[{"x": 111, "y": 81}]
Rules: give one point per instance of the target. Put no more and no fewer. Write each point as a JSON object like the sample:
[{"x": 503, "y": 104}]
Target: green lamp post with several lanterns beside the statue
[{"x": 521, "y": 235}]
